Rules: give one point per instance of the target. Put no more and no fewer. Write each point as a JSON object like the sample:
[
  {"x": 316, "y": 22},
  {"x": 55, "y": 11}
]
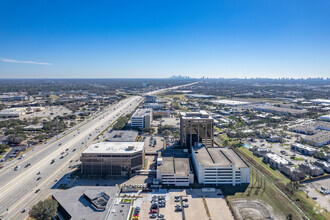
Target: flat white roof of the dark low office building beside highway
[{"x": 115, "y": 148}]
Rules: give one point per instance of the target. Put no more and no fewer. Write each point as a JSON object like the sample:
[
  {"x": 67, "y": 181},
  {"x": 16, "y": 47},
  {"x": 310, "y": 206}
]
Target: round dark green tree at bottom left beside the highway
[{"x": 44, "y": 210}]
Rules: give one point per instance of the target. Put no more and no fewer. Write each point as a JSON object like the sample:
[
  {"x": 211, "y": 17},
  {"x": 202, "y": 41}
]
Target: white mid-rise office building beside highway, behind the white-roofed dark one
[{"x": 142, "y": 118}]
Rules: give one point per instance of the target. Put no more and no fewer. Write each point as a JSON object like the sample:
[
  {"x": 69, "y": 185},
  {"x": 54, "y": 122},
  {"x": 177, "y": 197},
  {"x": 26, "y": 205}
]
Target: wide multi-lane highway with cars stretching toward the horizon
[{"x": 39, "y": 170}]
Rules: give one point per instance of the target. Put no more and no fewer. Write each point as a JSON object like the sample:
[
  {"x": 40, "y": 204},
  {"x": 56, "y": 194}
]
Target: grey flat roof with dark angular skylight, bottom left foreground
[{"x": 79, "y": 206}]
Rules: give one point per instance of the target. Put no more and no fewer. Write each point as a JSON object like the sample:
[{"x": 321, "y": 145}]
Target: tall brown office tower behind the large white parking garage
[{"x": 196, "y": 127}]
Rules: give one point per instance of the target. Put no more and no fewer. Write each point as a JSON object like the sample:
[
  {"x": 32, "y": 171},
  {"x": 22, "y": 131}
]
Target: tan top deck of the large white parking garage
[{"x": 218, "y": 157}]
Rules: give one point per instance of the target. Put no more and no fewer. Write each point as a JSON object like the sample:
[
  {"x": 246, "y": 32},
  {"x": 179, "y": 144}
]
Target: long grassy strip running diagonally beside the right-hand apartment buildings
[{"x": 308, "y": 205}]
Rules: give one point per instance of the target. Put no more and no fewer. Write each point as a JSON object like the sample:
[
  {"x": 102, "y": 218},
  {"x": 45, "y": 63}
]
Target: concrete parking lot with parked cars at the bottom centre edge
[{"x": 194, "y": 206}]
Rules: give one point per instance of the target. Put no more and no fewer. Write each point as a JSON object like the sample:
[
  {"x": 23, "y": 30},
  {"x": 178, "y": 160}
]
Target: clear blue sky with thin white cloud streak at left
[{"x": 161, "y": 38}]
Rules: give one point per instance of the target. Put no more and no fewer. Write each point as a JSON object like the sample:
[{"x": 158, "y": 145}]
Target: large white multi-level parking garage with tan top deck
[{"x": 216, "y": 166}]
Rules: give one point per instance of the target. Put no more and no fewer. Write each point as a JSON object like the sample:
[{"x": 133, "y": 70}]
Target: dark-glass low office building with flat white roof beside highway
[{"x": 113, "y": 158}]
